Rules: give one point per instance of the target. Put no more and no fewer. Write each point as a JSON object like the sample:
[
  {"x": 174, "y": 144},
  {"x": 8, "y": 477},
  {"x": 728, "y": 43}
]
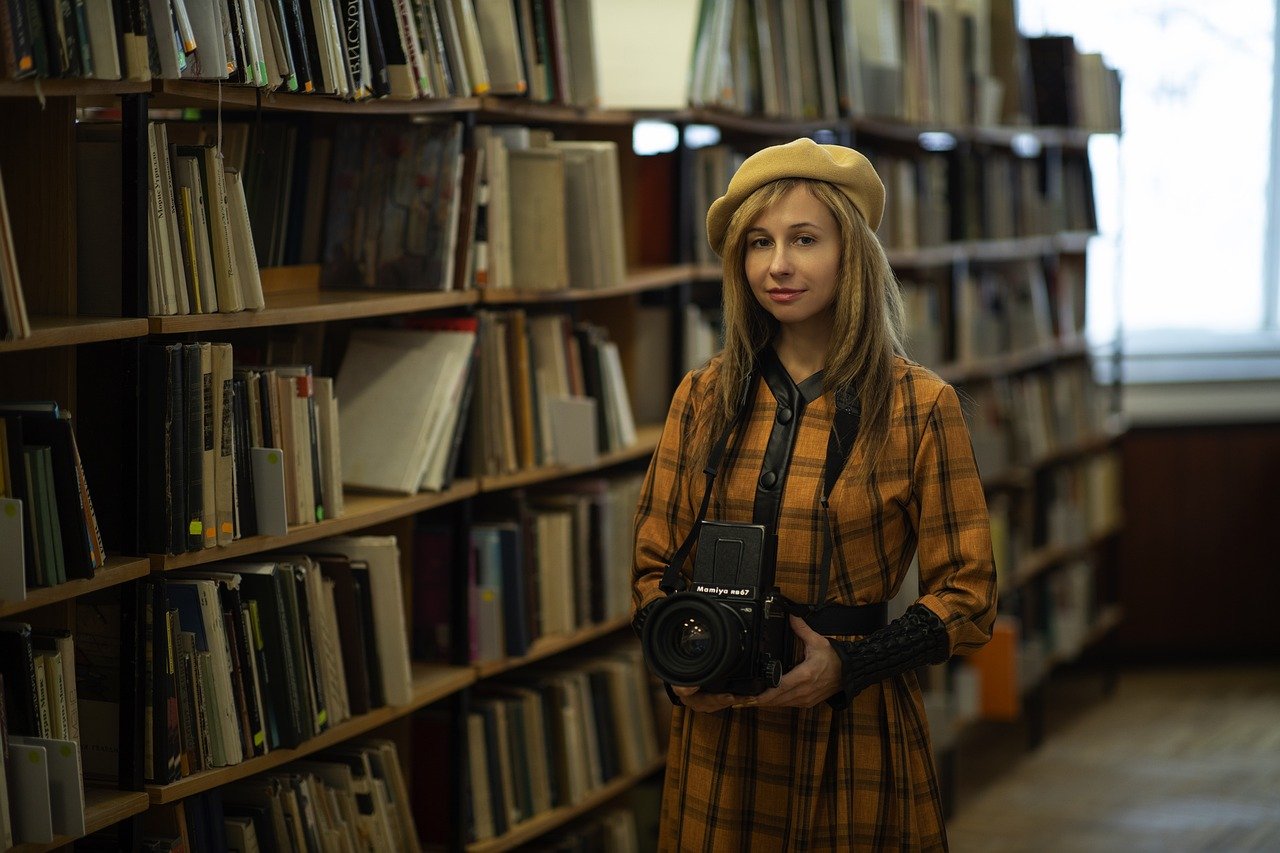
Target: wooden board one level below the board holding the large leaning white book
[{"x": 432, "y": 683}]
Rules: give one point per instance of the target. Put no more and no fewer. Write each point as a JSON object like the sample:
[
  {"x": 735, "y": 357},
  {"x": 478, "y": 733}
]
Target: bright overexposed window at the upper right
[{"x": 1185, "y": 263}]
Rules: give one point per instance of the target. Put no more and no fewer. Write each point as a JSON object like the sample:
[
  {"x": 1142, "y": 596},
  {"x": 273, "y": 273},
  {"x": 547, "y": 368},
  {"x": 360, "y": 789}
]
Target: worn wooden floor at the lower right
[{"x": 1174, "y": 760}]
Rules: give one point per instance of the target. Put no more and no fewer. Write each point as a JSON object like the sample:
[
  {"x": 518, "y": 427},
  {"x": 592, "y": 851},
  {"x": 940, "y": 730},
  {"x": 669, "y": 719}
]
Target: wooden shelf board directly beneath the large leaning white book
[{"x": 363, "y": 510}]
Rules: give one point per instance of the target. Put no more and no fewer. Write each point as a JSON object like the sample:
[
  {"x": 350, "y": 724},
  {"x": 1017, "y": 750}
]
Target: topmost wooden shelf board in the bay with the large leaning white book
[{"x": 186, "y": 94}]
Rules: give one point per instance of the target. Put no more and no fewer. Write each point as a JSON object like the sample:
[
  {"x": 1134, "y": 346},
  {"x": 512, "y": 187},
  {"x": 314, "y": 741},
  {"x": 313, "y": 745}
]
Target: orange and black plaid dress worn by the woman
[{"x": 792, "y": 779}]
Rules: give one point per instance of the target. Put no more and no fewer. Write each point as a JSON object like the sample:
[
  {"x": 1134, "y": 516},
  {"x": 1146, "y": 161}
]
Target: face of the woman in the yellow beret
[{"x": 793, "y": 259}]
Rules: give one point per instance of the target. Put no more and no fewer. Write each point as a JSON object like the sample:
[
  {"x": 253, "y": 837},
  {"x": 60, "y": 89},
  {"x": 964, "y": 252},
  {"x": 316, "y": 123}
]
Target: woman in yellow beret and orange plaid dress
[{"x": 838, "y": 755}]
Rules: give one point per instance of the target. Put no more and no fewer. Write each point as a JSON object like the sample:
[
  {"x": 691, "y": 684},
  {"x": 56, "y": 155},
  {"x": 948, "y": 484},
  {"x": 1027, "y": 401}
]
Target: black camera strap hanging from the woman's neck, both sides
[{"x": 840, "y": 446}]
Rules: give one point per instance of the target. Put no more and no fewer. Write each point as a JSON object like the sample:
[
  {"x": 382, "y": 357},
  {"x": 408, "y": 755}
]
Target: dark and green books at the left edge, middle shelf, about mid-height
[{"x": 48, "y": 528}]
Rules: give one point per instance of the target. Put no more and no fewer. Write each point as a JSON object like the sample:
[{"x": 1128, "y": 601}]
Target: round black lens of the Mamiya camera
[{"x": 691, "y": 640}]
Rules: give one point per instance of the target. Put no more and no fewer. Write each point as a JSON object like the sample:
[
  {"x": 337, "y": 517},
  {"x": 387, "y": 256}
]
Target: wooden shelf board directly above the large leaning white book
[{"x": 316, "y": 307}]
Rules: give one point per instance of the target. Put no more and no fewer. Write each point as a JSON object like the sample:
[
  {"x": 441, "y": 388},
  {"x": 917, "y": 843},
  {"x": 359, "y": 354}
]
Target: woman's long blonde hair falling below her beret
[{"x": 866, "y": 336}]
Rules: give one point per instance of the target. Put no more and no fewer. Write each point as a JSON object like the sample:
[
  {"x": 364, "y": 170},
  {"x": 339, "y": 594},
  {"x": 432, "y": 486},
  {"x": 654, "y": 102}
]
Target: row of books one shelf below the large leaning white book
[{"x": 249, "y": 658}]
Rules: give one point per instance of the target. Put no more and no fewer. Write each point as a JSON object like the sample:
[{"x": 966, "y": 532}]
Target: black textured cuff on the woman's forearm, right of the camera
[{"x": 916, "y": 638}]
